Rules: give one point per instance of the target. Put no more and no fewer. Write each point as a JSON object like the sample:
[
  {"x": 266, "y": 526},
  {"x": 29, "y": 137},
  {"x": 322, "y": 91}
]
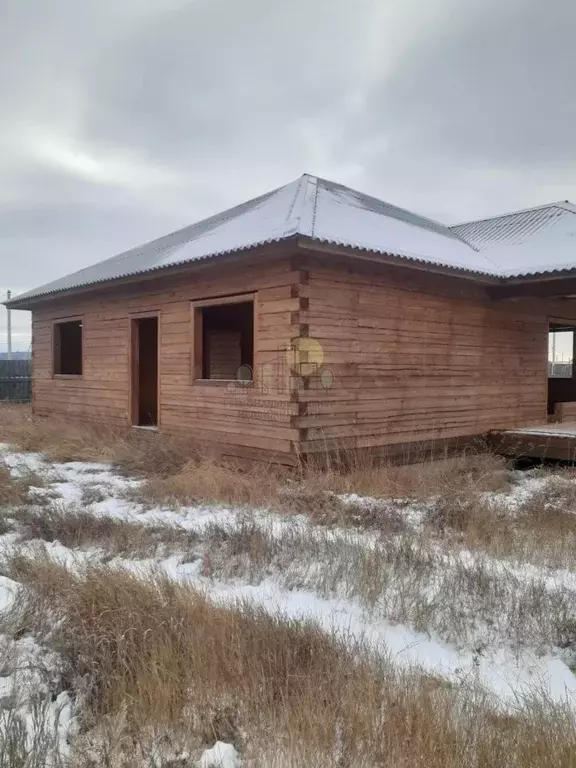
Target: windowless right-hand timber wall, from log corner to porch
[{"x": 418, "y": 357}]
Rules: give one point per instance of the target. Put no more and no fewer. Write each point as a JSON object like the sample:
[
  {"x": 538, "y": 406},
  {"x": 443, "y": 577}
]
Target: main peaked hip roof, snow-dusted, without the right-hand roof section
[{"x": 309, "y": 207}]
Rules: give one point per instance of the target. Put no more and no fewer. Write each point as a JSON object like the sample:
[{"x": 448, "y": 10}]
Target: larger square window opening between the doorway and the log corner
[{"x": 227, "y": 342}]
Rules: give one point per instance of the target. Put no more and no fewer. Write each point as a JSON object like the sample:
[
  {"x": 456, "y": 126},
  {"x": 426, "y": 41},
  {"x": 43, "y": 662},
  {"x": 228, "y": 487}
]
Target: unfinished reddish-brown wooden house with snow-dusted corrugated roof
[{"x": 316, "y": 317}]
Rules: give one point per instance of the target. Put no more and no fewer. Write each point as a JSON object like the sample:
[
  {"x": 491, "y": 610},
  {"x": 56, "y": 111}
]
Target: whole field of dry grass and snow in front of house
[{"x": 162, "y": 608}]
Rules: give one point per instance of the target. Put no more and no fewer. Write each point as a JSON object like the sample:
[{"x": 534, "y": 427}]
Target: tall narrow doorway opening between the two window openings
[{"x": 145, "y": 372}]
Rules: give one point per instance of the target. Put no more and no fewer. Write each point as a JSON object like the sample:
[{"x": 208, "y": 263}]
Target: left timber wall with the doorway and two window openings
[{"x": 242, "y": 420}]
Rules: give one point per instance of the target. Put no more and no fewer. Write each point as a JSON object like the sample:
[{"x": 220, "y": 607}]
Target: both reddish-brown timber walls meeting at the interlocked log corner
[{"x": 398, "y": 356}]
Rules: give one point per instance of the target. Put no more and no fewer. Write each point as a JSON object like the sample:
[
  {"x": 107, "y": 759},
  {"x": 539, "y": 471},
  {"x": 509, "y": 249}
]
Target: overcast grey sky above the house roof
[{"x": 121, "y": 120}]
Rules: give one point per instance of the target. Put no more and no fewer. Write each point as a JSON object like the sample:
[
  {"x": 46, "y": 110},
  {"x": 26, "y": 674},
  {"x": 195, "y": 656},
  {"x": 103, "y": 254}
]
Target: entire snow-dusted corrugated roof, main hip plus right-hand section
[{"x": 527, "y": 242}]
